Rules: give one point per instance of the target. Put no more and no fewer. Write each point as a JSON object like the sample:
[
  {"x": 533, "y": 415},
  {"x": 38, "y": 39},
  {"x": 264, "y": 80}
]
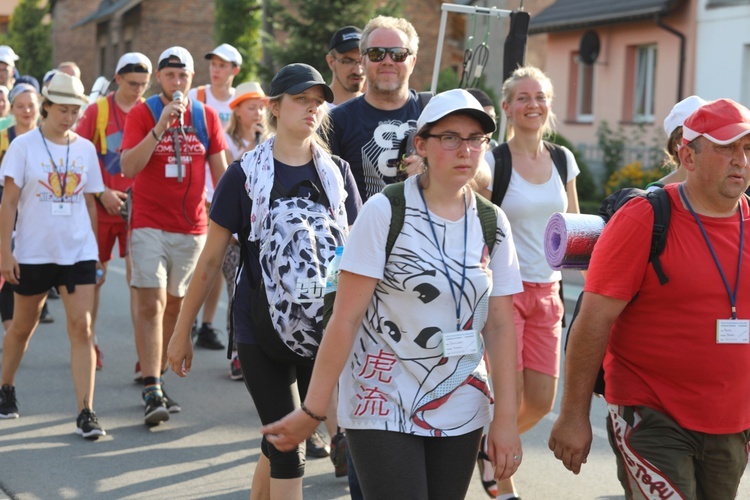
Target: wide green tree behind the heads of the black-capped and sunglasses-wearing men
[{"x": 309, "y": 25}]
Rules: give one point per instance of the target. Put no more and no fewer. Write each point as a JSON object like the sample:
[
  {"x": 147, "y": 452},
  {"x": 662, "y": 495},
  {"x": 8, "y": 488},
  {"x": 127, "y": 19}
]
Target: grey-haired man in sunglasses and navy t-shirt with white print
[{"x": 368, "y": 129}]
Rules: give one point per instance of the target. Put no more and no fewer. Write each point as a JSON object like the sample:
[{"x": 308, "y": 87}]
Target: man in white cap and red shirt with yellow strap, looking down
[{"x": 103, "y": 124}]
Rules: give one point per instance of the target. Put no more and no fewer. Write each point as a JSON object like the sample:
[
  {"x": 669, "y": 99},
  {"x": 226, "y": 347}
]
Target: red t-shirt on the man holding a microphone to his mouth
[{"x": 159, "y": 201}]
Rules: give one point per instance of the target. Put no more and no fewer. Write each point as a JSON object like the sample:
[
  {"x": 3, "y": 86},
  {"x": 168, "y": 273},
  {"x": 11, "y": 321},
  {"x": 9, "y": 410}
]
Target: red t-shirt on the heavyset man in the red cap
[{"x": 662, "y": 350}]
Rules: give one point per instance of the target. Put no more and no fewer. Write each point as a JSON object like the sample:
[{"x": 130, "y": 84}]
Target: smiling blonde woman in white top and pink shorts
[{"x": 534, "y": 193}]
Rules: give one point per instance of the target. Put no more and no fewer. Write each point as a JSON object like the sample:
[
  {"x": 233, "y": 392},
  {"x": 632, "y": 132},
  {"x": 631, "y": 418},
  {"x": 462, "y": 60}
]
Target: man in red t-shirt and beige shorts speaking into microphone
[{"x": 168, "y": 219}]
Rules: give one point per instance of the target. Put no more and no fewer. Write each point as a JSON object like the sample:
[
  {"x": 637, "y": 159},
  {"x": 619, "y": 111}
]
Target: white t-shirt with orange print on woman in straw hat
[{"x": 53, "y": 223}]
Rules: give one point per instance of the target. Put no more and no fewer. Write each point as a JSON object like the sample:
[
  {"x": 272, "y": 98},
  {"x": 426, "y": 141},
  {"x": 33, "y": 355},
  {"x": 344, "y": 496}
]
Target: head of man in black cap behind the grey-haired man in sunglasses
[{"x": 345, "y": 62}]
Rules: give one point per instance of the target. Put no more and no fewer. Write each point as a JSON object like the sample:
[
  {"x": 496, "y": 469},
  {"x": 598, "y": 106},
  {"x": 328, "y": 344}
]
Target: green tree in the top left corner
[{"x": 31, "y": 38}]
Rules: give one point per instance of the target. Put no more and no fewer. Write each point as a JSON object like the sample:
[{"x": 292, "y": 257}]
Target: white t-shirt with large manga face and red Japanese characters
[{"x": 395, "y": 378}]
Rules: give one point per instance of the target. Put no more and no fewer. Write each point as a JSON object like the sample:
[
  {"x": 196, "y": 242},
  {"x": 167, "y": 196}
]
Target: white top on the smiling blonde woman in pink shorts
[{"x": 529, "y": 207}]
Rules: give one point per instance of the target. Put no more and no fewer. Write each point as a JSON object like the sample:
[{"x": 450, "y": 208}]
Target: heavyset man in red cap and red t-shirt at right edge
[{"x": 675, "y": 355}]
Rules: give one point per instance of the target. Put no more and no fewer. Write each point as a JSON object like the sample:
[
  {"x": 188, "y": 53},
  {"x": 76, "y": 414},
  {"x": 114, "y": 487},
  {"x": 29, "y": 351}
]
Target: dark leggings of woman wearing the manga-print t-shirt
[{"x": 397, "y": 465}]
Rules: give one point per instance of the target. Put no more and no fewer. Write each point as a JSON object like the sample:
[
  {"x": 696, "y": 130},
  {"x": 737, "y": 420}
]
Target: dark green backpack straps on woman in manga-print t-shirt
[{"x": 395, "y": 194}]
